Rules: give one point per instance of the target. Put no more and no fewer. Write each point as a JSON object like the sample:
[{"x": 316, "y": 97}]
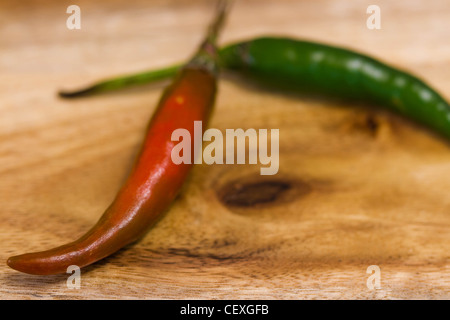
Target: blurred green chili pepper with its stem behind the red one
[{"x": 327, "y": 70}]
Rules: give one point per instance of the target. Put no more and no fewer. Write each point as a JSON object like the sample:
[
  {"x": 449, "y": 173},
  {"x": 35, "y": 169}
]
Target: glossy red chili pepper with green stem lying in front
[{"x": 154, "y": 181}]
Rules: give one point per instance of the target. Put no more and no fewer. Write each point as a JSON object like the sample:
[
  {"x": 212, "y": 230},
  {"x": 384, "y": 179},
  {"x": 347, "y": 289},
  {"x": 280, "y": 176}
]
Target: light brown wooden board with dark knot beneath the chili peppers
[{"x": 361, "y": 186}]
